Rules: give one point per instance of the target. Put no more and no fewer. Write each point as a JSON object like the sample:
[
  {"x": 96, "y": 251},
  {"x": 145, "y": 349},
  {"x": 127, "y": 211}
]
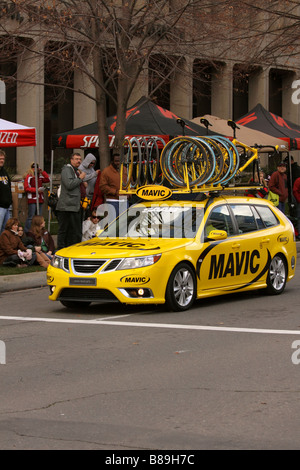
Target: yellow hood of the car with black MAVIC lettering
[{"x": 122, "y": 247}]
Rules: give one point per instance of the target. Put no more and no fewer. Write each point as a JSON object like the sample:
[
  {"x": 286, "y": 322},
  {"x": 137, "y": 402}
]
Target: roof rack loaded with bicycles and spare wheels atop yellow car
[{"x": 187, "y": 164}]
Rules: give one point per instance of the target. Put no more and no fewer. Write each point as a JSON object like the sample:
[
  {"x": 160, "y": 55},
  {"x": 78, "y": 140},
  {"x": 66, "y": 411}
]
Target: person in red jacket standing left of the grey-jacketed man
[{"x": 30, "y": 189}]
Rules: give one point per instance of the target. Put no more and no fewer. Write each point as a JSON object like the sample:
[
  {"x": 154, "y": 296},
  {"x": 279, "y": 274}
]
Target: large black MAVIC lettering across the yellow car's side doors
[{"x": 234, "y": 265}]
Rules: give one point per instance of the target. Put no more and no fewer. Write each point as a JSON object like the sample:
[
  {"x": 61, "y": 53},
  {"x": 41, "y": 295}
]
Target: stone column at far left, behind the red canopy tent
[{"x": 30, "y": 103}]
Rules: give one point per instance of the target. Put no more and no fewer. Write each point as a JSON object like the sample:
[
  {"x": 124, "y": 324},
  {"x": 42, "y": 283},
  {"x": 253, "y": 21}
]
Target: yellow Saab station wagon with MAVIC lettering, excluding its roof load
[{"x": 176, "y": 251}]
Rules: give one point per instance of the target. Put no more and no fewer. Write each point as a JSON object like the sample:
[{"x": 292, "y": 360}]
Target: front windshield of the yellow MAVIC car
[{"x": 163, "y": 221}]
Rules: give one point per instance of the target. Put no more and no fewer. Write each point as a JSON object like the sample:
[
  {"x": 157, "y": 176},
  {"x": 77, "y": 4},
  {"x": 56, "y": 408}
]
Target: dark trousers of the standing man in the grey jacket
[{"x": 69, "y": 228}]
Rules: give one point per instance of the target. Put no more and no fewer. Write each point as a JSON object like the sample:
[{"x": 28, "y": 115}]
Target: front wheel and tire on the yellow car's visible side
[{"x": 181, "y": 288}]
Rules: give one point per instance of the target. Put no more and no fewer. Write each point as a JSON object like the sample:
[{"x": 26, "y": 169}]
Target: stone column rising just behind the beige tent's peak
[{"x": 221, "y": 92}]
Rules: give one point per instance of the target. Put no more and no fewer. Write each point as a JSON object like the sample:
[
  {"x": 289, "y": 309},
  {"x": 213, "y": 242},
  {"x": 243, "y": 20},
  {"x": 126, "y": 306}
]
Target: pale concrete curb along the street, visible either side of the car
[{"x": 33, "y": 280}]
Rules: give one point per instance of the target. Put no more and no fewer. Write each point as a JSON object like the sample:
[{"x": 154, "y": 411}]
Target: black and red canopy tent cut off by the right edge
[{"x": 263, "y": 120}]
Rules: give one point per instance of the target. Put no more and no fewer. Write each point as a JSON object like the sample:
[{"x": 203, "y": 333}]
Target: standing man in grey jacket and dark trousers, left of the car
[{"x": 68, "y": 206}]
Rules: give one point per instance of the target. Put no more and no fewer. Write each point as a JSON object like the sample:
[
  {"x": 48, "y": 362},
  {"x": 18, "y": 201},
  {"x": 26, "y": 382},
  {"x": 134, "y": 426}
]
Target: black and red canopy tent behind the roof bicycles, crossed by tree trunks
[{"x": 145, "y": 118}]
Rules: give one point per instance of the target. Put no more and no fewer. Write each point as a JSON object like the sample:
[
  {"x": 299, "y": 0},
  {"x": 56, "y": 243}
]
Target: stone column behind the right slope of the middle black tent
[{"x": 181, "y": 90}]
